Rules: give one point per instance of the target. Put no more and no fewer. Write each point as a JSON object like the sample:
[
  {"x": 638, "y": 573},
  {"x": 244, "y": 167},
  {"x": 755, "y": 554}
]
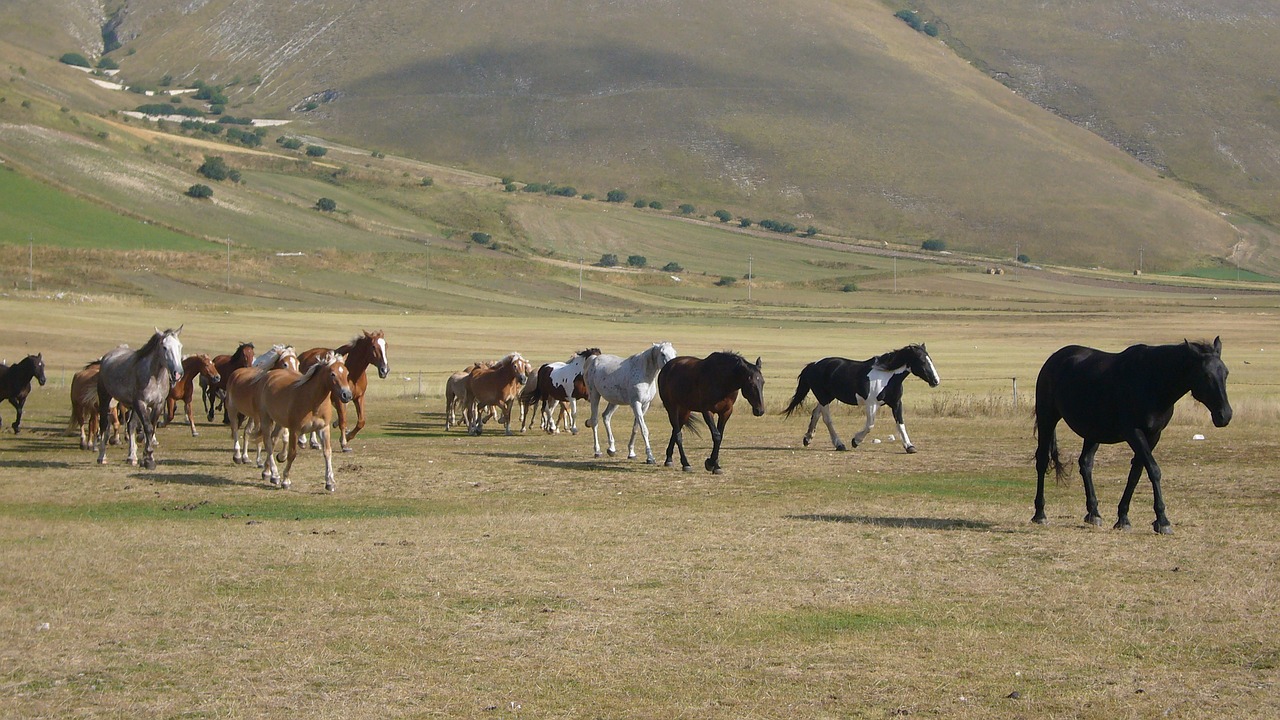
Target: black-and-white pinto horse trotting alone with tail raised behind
[{"x": 871, "y": 384}]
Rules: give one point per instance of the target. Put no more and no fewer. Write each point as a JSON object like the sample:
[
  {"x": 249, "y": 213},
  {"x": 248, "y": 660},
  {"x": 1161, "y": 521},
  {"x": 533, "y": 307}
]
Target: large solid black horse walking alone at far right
[{"x": 1109, "y": 398}]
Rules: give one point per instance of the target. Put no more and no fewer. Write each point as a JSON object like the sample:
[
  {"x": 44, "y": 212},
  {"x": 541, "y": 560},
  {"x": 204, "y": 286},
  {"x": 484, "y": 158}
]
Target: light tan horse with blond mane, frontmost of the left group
[{"x": 301, "y": 404}]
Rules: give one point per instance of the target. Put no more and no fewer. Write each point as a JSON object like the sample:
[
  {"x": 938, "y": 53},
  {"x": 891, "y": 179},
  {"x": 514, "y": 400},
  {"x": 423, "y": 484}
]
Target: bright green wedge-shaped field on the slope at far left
[{"x": 53, "y": 218}]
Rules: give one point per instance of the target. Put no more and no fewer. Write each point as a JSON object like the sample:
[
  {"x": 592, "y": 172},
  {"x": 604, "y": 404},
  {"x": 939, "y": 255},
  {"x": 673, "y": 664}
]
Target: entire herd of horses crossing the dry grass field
[{"x": 1105, "y": 398}]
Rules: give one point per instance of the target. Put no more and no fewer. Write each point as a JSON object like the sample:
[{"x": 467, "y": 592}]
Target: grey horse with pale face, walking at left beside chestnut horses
[{"x": 140, "y": 381}]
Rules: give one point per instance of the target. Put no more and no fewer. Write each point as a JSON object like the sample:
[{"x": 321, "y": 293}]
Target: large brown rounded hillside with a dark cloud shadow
[{"x": 815, "y": 113}]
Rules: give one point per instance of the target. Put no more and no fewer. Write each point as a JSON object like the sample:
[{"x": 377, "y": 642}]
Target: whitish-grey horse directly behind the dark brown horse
[{"x": 632, "y": 382}]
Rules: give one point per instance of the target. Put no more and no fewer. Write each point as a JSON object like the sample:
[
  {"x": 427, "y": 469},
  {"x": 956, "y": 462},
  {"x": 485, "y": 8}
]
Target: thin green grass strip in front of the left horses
[{"x": 209, "y": 511}]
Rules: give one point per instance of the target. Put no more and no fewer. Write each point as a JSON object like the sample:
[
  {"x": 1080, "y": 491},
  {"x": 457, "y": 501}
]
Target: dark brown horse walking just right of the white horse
[{"x": 689, "y": 385}]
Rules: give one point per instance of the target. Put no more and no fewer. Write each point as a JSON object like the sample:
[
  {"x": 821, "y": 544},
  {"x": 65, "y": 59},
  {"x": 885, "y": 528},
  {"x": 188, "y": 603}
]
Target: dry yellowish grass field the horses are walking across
[{"x": 504, "y": 577}]
